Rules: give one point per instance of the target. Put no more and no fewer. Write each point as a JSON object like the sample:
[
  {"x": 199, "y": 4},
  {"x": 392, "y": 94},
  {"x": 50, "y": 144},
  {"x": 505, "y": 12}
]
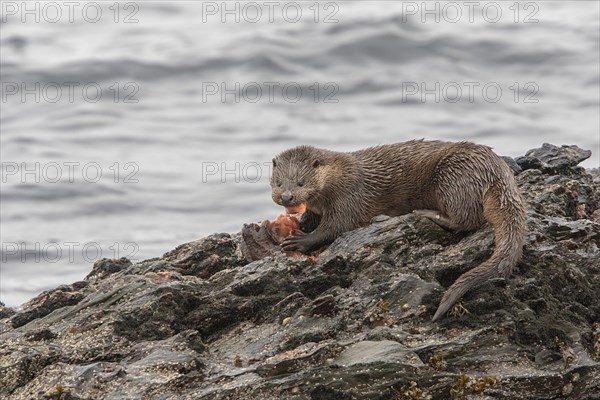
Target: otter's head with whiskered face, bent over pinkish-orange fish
[{"x": 295, "y": 178}]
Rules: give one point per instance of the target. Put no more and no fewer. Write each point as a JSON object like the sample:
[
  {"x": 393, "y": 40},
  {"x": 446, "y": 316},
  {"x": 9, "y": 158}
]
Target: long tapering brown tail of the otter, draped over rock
[{"x": 503, "y": 207}]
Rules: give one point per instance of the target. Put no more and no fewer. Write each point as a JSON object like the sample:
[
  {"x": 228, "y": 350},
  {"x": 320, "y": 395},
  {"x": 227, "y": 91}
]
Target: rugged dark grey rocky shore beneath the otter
[{"x": 201, "y": 322}]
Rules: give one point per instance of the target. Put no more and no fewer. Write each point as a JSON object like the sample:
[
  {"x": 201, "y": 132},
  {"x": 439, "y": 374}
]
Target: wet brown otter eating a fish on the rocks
[{"x": 459, "y": 185}]
